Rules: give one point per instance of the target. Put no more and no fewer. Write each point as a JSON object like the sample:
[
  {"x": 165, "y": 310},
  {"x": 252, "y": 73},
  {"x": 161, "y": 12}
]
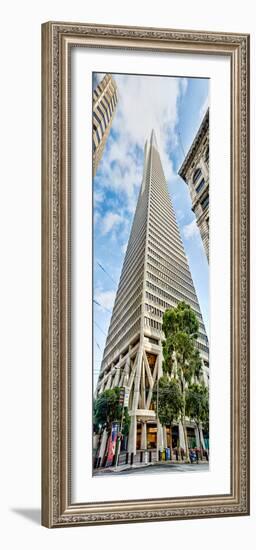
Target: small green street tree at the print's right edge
[{"x": 197, "y": 405}]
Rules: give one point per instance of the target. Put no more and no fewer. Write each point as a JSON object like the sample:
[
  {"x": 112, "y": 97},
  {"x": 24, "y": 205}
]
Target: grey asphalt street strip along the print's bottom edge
[{"x": 155, "y": 469}]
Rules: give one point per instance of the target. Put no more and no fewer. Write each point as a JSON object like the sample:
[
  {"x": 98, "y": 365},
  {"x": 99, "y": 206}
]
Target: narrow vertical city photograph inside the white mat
[{"x": 151, "y": 259}]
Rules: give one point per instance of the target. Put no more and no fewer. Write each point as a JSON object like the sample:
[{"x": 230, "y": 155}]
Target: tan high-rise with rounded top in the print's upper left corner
[{"x": 104, "y": 106}]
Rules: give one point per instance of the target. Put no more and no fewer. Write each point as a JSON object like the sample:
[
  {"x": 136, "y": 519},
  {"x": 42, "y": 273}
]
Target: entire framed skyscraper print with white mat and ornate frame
[{"x": 145, "y": 274}]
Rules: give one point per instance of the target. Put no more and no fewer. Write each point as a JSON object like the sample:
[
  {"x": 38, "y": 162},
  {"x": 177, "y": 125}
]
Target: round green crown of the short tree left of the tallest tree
[{"x": 169, "y": 401}]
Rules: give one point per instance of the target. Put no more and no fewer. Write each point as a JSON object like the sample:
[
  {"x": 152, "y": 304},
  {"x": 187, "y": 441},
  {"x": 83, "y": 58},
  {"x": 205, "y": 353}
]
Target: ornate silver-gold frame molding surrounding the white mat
[{"x": 57, "y": 41}]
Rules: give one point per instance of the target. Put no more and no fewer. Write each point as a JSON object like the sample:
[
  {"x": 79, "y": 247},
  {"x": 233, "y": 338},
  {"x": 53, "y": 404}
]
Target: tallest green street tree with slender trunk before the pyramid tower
[{"x": 181, "y": 357}]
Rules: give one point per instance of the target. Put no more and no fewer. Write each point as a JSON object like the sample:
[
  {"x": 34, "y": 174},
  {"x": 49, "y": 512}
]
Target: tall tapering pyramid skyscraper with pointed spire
[{"x": 155, "y": 276}]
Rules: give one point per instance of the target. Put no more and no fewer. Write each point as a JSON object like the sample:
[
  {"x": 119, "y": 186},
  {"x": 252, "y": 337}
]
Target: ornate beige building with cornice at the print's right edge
[{"x": 195, "y": 172}]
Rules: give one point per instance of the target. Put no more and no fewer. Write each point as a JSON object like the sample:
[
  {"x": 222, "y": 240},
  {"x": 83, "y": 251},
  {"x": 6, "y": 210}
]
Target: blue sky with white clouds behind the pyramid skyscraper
[{"x": 174, "y": 107}]
